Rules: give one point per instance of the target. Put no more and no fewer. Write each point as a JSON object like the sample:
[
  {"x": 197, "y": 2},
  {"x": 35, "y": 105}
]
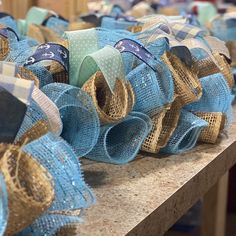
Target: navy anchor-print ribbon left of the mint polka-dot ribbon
[{"x": 50, "y": 51}]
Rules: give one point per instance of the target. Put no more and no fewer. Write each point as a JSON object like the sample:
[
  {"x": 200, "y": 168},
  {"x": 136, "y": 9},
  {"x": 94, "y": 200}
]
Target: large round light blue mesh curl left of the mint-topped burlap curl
[{"x": 80, "y": 120}]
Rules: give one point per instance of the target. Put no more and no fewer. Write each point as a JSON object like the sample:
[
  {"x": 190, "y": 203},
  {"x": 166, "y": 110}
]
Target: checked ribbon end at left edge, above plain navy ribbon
[{"x": 20, "y": 88}]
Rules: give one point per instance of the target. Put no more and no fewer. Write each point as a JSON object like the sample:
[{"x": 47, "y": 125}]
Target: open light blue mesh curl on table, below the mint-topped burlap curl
[{"x": 120, "y": 143}]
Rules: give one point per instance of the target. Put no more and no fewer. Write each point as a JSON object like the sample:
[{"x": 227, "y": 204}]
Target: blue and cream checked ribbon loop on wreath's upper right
[{"x": 186, "y": 31}]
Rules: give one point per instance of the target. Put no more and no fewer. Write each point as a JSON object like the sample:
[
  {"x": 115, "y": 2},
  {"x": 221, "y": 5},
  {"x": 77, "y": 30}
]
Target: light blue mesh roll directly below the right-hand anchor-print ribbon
[{"x": 153, "y": 90}]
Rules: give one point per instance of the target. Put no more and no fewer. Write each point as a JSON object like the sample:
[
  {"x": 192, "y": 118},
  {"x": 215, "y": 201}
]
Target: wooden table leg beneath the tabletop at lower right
[{"x": 214, "y": 209}]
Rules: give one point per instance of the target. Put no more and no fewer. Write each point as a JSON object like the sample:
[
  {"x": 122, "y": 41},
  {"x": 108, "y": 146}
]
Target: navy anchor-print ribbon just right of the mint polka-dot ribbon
[{"x": 131, "y": 46}]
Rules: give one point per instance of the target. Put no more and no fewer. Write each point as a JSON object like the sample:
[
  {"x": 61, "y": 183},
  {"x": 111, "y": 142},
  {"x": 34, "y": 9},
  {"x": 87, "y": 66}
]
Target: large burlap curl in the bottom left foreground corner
[{"x": 29, "y": 185}]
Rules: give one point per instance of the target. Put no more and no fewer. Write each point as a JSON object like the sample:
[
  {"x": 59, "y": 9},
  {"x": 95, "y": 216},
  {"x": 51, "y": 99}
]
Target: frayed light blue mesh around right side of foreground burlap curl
[{"x": 71, "y": 192}]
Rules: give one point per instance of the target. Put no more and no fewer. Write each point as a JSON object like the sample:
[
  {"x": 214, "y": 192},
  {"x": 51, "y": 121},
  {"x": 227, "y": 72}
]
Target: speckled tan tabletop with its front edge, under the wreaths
[{"x": 147, "y": 196}]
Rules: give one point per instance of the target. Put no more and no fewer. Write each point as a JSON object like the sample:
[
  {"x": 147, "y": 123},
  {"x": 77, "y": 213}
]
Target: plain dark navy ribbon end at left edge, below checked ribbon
[{"x": 11, "y": 116}]
